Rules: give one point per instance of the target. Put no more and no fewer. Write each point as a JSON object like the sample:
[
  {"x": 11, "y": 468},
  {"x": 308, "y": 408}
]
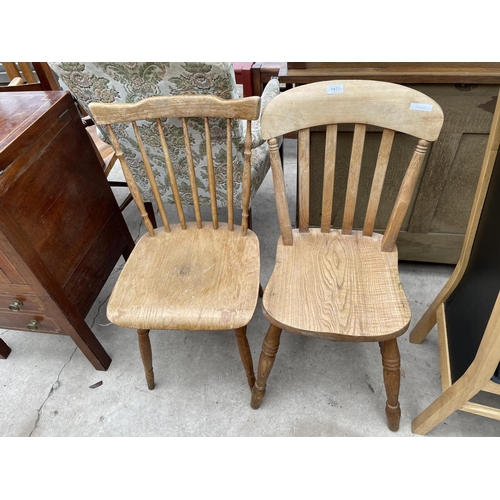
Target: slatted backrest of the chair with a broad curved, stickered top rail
[{"x": 391, "y": 107}]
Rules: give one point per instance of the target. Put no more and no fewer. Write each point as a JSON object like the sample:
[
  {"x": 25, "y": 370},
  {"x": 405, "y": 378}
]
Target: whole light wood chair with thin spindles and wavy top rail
[{"x": 187, "y": 275}]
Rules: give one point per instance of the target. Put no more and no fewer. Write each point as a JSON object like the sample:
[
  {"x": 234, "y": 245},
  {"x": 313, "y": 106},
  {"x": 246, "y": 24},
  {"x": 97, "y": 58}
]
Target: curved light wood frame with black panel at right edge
[{"x": 467, "y": 309}]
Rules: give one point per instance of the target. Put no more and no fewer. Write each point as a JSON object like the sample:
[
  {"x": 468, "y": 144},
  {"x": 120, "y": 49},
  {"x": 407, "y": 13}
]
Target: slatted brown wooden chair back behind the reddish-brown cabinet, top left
[{"x": 33, "y": 76}]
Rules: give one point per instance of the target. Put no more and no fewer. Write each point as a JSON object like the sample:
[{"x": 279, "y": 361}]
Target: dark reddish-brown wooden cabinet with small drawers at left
[{"x": 61, "y": 231}]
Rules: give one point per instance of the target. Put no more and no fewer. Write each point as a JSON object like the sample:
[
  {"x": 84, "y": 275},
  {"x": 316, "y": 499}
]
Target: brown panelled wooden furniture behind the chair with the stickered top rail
[{"x": 435, "y": 226}]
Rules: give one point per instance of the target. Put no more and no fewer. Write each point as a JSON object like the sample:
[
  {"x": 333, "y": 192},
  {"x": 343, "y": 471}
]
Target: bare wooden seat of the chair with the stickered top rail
[{"x": 337, "y": 286}]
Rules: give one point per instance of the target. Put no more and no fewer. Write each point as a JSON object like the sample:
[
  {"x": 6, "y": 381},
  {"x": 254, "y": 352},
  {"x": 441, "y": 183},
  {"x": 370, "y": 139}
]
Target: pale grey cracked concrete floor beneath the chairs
[{"x": 317, "y": 388}]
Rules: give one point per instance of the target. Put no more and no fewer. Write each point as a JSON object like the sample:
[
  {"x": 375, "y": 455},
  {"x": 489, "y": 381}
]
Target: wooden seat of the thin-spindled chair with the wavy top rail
[{"x": 188, "y": 279}]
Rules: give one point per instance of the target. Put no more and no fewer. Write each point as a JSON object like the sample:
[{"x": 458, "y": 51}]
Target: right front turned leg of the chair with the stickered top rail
[{"x": 391, "y": 363}]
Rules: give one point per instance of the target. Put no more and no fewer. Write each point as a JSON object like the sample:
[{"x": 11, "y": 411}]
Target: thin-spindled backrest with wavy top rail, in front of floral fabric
[{"x": 154, "y": 123}]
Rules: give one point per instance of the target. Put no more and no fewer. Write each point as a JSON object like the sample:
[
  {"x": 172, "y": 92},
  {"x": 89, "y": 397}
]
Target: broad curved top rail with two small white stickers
[{"x": 360, "y": 101}]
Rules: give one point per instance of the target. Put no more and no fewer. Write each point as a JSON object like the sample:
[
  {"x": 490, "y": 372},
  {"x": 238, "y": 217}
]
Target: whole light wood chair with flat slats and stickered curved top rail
[{"x": 343, "y": 284}]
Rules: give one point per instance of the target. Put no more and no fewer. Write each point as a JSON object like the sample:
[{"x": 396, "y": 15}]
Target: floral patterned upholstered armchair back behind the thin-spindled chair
[{"x": 131, "y": 82}]
